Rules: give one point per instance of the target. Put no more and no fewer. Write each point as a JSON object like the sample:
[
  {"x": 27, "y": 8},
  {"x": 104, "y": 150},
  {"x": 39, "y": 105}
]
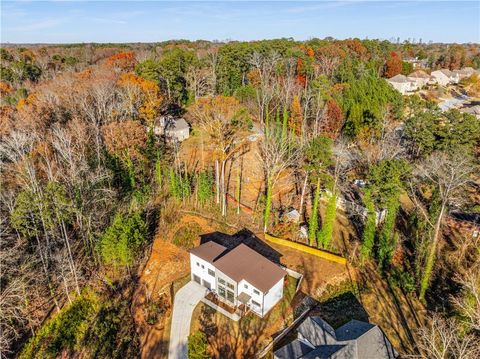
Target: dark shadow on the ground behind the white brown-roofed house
[{"x": 246, "y": 237}]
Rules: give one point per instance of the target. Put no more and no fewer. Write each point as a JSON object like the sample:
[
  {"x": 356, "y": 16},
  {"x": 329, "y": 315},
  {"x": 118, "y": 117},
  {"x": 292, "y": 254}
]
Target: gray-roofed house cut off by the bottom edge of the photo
[{"x": 354, "y": 340}]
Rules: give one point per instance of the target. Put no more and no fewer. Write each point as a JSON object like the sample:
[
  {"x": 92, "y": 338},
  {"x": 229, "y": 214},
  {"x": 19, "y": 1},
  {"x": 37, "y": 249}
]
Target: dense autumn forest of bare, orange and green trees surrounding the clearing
[{"x": 86, "y": 184}]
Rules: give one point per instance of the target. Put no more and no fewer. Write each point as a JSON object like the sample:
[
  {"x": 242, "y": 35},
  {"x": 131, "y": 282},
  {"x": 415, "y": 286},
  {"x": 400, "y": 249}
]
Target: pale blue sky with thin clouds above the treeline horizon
[{"x": 150, "y": 21}]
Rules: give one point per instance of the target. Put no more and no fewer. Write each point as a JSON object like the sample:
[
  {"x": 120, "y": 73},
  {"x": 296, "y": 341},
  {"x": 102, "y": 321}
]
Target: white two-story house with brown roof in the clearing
[{"x": 240, "y": 277}]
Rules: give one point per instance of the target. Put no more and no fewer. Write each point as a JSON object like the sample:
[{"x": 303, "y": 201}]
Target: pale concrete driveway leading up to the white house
[{"x": 185, "y": 301}]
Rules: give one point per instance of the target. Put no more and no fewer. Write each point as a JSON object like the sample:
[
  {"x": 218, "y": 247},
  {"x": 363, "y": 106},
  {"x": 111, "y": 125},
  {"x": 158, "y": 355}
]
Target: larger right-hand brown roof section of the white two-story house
[{"x": 242, "y": 262}]
